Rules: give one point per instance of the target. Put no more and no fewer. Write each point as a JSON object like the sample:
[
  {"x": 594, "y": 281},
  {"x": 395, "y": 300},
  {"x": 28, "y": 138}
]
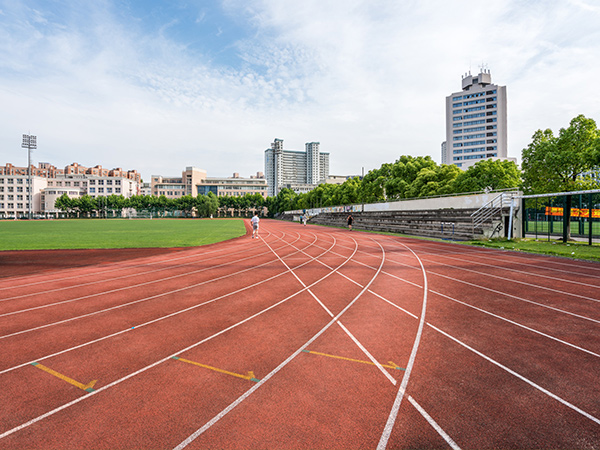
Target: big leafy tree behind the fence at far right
[{"x": 559, "y": 164}]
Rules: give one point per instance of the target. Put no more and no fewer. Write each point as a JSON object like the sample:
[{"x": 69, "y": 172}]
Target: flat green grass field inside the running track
[{"x": 116, "y": 233}]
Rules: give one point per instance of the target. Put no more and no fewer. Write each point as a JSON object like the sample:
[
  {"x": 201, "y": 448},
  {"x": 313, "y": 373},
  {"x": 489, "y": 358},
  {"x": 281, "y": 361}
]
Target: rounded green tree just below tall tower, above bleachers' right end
[{"x": 488, "y": 174}]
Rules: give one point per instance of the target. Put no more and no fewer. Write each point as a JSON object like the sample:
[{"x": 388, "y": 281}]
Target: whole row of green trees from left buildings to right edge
[{"x": 550, "y": 164}]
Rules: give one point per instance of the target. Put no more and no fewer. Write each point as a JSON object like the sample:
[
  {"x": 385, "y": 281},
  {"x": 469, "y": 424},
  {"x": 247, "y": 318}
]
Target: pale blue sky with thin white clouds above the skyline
[{"x": 160, "y": 85}]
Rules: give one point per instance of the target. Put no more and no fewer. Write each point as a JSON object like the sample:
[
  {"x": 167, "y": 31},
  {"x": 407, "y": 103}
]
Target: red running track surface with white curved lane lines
[{"x": 353, "y": 341}]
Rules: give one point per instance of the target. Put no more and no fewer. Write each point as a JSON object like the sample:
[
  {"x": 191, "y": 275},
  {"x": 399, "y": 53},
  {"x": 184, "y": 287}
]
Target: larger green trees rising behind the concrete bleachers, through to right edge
[{"x": 569, "y": 161}]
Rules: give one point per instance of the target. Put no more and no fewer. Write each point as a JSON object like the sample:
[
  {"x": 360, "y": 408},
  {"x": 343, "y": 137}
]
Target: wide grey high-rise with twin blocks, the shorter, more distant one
[{"x": 297, "y": 170}]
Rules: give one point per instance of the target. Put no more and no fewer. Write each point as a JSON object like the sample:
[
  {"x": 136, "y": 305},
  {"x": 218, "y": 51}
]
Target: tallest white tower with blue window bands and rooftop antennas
[{"x": 475, "y": 122}]
